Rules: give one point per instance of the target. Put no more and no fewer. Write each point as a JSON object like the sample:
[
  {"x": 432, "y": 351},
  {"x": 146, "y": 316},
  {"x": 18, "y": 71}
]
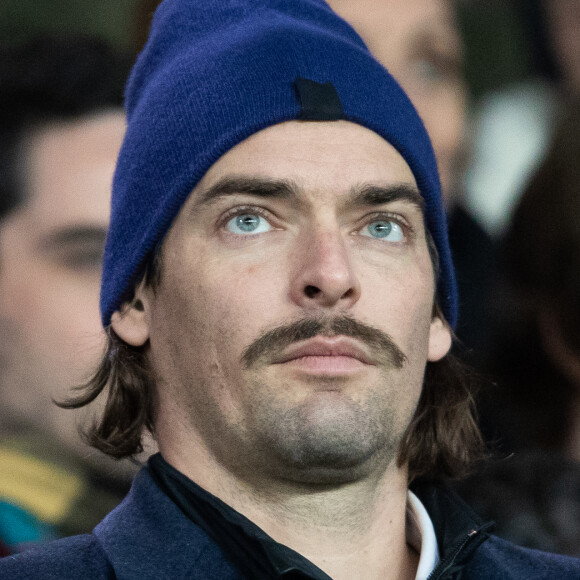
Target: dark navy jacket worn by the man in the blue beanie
[{"x": 148, "y": 538}]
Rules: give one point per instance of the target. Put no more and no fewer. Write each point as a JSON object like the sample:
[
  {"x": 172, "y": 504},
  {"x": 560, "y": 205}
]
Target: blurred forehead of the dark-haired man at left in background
[{"x": 69, "y": 169}]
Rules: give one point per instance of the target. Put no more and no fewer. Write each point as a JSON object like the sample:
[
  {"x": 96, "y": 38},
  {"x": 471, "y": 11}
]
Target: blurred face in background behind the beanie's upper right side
[{"x": 418, "y": 42}]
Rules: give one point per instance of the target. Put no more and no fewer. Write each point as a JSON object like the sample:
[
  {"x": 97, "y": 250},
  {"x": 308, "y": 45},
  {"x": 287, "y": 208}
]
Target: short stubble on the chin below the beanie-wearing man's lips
[{"x": 329, "y": 438}]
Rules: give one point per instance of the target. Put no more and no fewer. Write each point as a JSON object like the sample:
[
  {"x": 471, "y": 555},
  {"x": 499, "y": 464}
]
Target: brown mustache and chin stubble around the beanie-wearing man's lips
[{"x": 338, "y": 429}]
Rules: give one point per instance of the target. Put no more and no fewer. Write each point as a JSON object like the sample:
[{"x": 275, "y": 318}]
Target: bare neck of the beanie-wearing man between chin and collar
[{"x": 349, "y": 530}]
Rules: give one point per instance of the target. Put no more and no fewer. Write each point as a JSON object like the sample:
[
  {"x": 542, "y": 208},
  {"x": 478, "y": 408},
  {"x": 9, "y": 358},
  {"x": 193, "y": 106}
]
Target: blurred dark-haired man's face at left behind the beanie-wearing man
[{"x": 50, "y": 261}]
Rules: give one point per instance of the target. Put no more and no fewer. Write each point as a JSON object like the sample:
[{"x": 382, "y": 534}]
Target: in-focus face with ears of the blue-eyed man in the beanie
[{"x": 292, "y": 323}]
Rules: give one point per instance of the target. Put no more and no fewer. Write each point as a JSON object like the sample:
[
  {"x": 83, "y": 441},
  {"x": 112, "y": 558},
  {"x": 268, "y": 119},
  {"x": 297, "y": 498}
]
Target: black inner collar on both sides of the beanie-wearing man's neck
[{"x": 256, "y": 555}]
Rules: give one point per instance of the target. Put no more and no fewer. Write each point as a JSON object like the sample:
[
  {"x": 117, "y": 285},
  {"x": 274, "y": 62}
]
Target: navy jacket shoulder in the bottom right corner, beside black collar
[{"x": 497, "y": 559}]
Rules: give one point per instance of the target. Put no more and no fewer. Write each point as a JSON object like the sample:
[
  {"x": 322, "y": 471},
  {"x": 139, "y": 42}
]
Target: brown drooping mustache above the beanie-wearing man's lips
[{"x": 279, "y": 338}]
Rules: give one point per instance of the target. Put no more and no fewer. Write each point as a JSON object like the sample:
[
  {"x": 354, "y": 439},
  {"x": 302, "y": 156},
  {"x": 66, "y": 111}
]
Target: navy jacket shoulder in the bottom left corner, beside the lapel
[{"x": 67, "y": 559}]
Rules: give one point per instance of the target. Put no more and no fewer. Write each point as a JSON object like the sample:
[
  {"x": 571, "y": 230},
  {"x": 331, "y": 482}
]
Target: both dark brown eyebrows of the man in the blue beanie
[{"x": 360, "y": 195}]
